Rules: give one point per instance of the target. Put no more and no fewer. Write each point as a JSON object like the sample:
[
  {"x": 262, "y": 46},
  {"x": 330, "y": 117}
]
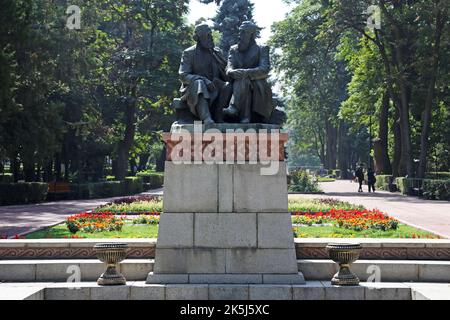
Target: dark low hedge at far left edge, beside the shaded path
[{"x": 23, "y": 193}]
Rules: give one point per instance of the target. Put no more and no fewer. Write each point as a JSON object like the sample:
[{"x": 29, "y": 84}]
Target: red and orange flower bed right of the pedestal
[{"x": 357, "y": 220}]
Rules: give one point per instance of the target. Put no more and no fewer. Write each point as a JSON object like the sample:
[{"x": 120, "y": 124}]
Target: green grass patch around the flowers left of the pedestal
[{"x": 128, "y": 231}]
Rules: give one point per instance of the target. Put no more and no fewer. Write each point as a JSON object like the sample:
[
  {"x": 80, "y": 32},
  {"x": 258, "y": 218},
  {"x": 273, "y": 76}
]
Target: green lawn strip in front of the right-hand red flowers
[{"x": 403, "y": 231}]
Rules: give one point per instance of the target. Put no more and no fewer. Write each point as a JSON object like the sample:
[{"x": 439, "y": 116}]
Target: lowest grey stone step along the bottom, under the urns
[{"x": 312, "y": 290}]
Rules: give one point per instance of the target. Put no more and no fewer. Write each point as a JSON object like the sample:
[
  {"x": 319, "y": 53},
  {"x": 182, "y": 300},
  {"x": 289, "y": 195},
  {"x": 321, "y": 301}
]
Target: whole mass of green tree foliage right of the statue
[{"x": 336, "y": 72}]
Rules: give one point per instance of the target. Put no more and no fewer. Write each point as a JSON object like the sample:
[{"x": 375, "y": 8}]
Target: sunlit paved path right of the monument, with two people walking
[{"x": 433, "y": 216}]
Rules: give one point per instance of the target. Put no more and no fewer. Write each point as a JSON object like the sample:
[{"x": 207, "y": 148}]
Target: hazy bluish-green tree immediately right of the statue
[{"x": 317, "y": 82}]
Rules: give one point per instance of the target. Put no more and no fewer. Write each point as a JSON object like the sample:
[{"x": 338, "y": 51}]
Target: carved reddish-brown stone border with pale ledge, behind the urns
[{"x": 373, "y": 249}]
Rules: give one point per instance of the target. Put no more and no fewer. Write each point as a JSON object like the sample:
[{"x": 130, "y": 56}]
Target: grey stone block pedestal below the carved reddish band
[{"x": 225, "y": 223}]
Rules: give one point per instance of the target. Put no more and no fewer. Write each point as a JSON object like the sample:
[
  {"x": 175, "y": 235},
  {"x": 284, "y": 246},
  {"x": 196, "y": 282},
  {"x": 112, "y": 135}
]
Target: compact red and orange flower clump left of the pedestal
[{"x": 93, "y": 222}]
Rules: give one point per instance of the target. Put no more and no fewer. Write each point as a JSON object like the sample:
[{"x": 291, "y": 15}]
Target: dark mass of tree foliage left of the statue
[{"x": 85, "y": 97}]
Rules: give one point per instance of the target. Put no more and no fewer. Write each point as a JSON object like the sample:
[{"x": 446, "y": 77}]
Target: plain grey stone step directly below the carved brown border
[{"x": 137, "y": 270}]
